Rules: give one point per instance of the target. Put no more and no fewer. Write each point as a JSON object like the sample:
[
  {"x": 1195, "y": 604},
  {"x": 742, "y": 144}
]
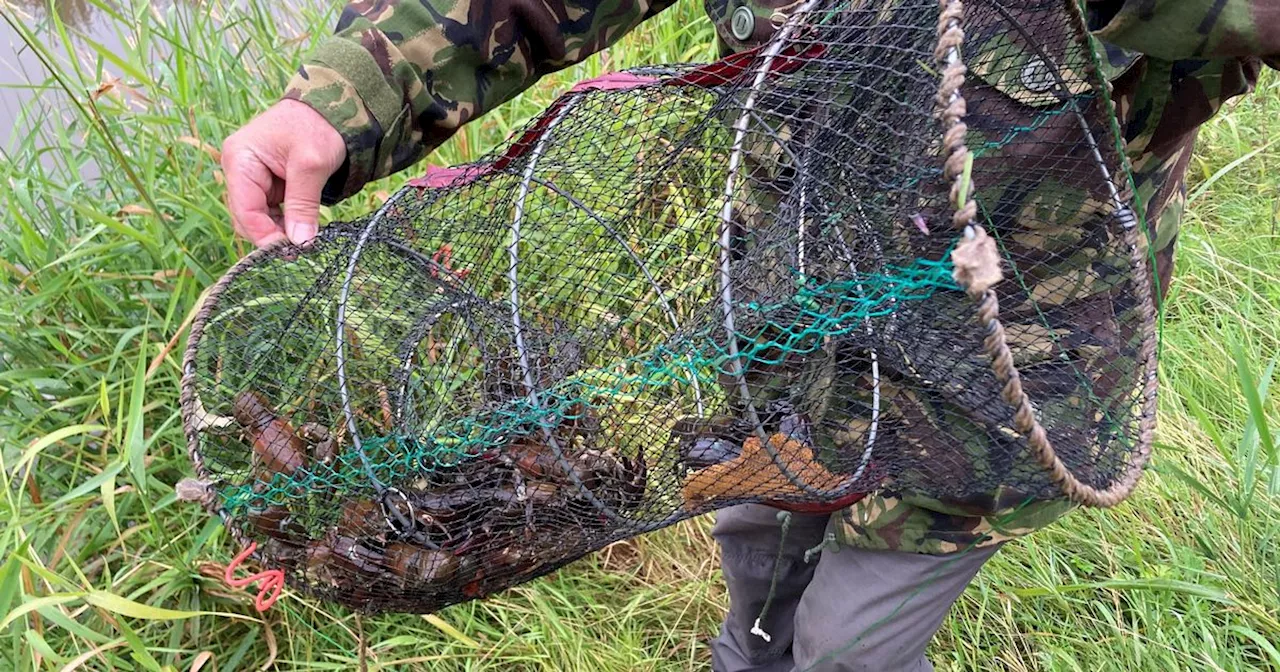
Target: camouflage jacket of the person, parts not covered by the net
[{"x": 401, "y": 77}]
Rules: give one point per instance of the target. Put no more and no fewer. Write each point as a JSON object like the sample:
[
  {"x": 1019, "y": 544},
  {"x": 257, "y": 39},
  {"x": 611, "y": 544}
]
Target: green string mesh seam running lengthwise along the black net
[{"x": 798, "y": 326}]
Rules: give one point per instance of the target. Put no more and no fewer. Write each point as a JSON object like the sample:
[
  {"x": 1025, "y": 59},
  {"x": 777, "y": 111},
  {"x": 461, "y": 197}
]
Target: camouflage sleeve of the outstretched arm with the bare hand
[{"x": 400, "y": 77}]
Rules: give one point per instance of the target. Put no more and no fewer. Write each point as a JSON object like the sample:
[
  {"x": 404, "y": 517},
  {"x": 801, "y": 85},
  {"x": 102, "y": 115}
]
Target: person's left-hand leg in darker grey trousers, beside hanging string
[{"x": 748, "y": 537}]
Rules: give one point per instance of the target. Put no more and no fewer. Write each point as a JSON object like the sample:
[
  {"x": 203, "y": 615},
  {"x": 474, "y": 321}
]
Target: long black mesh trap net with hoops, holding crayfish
[{"x": 892, "y": 252}]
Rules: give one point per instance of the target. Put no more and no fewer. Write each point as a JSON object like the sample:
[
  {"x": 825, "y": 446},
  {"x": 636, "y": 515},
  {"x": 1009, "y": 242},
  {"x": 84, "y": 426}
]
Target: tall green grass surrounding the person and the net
[{"x": 104, "y": 570}]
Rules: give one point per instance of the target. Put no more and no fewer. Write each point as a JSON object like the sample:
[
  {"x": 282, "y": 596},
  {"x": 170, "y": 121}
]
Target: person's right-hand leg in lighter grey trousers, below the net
[{"x": 876, "y": 611}]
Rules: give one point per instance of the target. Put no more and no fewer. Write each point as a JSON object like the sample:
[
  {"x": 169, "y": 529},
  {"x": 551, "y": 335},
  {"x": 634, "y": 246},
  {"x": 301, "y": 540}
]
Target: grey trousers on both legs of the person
[{"x": 848, "y": 610}]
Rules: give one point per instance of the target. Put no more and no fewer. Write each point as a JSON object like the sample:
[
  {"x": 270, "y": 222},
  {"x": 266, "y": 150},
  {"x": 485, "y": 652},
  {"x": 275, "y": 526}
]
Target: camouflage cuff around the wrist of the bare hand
[{"x": 345, "y": 85}]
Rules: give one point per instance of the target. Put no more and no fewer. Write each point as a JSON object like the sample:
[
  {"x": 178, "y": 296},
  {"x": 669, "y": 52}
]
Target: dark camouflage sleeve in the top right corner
[{"x": 1176, "y": 30}]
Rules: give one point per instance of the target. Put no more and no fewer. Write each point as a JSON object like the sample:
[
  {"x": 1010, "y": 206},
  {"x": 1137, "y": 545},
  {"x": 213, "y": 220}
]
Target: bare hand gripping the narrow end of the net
[{"x": 276, "y": 168}]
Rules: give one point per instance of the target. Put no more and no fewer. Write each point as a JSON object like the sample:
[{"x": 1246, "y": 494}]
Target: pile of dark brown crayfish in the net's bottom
[{"x": 420, "y": 534}]
